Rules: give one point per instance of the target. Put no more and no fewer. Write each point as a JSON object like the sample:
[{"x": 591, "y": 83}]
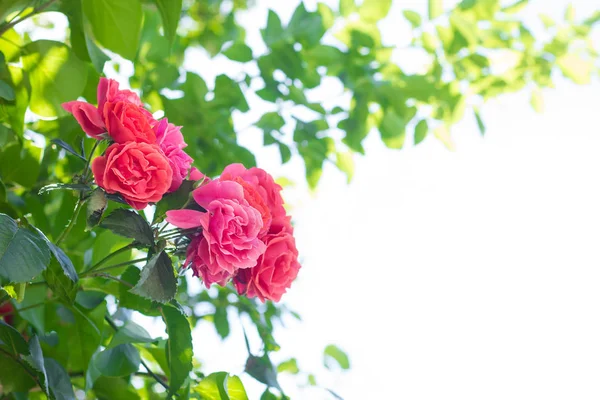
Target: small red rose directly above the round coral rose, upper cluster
[{"x": 127, "y": 122}]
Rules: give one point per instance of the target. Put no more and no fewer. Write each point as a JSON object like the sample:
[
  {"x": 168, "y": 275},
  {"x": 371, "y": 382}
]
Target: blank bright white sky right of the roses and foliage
[{"x": 471, "y": 274}]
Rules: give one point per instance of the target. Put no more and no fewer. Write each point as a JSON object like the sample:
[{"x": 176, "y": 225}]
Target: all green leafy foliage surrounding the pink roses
[{"x": 67, "y": 274}]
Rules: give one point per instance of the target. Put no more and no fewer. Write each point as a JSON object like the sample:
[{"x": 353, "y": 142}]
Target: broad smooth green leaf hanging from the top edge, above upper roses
[{"x": 116, "y": 24}]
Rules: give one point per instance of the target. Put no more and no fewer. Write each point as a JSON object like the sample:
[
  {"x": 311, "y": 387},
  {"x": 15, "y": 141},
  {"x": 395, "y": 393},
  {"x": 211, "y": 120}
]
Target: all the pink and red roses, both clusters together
[{"x": 241, "y": 233}]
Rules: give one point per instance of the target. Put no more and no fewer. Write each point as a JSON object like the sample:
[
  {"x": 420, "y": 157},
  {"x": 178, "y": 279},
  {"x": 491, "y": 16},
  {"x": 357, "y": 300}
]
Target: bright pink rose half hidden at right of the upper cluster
[{"x": 170, "y": 140}]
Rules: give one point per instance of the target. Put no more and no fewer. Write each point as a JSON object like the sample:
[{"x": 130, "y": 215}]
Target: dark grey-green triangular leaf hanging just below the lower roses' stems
[{"x": 157, "y": 281}]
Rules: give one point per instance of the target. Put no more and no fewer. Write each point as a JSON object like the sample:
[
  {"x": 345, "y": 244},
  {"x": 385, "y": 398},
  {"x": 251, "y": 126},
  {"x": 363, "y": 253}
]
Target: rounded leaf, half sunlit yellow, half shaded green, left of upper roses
[{"x": 56, "y": 76}]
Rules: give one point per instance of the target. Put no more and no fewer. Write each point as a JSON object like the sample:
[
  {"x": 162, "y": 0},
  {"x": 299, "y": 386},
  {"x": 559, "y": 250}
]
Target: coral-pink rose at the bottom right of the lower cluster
[{"x": 275, "y": 271}]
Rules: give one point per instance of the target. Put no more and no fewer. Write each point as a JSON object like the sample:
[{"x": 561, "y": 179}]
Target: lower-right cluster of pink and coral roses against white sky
[{"x": 244, "y": 234}]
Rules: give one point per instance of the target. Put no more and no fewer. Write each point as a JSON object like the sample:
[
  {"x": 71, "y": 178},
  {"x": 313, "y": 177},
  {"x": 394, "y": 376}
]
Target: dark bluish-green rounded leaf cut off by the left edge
[{"x": 23, "y": 252}]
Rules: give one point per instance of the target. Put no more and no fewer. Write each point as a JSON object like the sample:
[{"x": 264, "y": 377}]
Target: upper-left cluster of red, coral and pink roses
[{"x": 146, "y": 159}]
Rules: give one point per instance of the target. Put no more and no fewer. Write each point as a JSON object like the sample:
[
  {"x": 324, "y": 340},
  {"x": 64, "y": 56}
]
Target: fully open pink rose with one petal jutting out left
[{"x": 230, "y": 228}]
